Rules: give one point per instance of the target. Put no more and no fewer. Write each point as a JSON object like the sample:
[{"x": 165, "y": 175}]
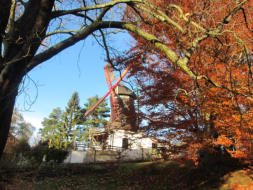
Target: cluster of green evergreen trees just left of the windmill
[{"x": 63, "y": 129}]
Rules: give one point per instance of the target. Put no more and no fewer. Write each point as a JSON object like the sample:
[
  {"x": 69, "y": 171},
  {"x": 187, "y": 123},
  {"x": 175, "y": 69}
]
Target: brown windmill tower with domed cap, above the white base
[{"x": 126, "y": 115}]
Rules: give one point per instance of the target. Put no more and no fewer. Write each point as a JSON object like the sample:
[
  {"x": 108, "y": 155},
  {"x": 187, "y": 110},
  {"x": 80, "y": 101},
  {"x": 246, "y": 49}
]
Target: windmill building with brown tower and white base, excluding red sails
[{"x": 122, "y": 132}]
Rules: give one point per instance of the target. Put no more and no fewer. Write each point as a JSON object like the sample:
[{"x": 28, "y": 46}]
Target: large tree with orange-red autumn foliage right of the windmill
[{"x": 195, "y": 72}]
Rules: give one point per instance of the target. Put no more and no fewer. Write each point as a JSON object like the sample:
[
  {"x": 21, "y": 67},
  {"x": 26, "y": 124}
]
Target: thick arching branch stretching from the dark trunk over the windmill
[{"x": 47, "y": 54}]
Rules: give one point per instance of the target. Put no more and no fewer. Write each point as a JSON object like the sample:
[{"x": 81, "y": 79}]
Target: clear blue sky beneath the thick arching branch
[{"x": 79, "y": 68}]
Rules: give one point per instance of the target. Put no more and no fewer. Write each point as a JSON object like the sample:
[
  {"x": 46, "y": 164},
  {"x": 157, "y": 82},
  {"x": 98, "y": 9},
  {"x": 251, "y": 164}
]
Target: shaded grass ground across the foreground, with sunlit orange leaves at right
[{"x": 143, "y": 175}]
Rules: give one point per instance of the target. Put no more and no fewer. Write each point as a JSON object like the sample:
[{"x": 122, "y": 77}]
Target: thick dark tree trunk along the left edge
[{"x": 22, "y": 40}]
